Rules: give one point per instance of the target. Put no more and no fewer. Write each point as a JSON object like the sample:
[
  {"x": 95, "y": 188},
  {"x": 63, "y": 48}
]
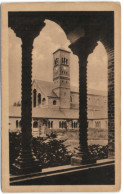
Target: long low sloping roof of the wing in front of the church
[{"x": 56, "y": 113}]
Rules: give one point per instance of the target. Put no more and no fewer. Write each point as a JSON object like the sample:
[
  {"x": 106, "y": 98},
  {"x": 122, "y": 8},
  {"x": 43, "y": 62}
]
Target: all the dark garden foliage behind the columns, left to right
[{"x": 52, "y": 151}]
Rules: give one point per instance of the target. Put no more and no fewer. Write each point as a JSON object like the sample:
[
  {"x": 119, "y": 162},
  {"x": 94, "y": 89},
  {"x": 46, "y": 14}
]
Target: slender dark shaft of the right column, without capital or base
[{"x": 83, "y": 105}]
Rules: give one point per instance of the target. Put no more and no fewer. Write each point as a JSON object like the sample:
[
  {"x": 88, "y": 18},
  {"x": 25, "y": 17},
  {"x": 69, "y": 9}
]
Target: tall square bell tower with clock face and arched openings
[{"x": 61, "y": 76}]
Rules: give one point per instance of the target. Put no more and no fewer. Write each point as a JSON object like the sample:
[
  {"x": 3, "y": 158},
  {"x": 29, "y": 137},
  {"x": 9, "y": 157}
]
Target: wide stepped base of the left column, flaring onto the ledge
[{"x": 25, "y": 164}]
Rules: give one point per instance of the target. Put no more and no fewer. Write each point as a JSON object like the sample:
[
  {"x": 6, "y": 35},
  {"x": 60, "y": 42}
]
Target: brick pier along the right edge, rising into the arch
[{"x": 108, "y": 42}]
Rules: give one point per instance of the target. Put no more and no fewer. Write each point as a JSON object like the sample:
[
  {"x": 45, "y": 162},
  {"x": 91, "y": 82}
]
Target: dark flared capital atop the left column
[{"x": 26, "y": 26}]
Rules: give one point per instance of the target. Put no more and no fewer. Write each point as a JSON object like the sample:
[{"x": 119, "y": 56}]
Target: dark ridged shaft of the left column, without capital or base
[{"x": 26, "y": 109}]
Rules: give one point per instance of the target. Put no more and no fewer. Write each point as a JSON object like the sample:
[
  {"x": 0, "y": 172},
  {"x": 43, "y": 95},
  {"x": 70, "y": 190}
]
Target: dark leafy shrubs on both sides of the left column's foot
[{"x": 50, "y": 151}]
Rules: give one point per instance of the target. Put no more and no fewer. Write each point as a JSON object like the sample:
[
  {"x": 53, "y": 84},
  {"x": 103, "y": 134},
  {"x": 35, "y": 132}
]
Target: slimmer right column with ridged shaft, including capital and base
[{"x": 82, "y": 48}]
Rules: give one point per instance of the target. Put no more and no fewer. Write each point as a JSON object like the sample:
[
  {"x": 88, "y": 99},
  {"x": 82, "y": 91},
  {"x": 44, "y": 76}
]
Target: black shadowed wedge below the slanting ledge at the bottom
[{"x": 102, "y": 175}]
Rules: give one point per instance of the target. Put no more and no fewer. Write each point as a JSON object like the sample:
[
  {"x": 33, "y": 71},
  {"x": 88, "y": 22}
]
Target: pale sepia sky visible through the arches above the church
[{"x": 50, "y": 39}]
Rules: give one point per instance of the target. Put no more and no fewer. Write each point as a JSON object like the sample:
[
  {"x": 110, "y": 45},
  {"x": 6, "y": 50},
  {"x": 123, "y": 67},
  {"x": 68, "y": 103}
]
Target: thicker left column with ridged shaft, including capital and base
[{"x": 27, "y": 28}]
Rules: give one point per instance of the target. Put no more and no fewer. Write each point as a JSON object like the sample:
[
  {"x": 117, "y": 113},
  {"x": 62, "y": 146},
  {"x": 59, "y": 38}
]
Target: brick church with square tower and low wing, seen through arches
[{"x": 55, "y": 105}]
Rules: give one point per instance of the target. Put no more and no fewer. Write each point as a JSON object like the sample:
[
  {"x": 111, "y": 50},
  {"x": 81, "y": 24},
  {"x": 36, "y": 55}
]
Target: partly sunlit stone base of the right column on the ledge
[{"x": 78, "y": 160}]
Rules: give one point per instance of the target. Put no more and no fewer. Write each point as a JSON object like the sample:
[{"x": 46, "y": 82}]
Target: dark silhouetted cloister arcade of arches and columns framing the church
[{"x": 84, "y": 30}]
